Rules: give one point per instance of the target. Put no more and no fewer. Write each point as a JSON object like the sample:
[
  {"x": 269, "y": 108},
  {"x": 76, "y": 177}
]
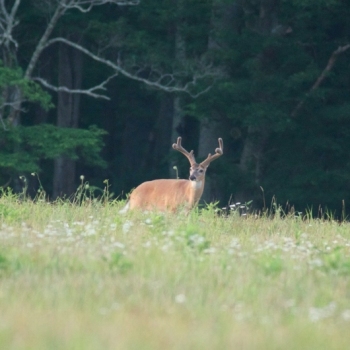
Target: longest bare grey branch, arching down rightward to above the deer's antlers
[{"x": 166, "y": 82}]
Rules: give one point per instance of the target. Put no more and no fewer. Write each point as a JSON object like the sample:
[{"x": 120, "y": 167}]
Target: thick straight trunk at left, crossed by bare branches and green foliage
[{"x": 69, "y": 75}]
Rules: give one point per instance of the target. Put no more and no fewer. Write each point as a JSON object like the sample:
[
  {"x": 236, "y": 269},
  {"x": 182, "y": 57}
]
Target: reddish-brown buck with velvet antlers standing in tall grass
[{"x": 169, "y": 195}]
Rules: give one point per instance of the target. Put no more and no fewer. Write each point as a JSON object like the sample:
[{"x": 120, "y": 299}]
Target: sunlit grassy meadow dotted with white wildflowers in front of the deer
[{"x": 86, "y": 277}]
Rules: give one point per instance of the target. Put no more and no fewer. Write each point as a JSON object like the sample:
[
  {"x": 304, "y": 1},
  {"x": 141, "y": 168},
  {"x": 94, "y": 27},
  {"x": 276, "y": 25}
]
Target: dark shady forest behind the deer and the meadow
[{"x": 97, "y": 91}]
